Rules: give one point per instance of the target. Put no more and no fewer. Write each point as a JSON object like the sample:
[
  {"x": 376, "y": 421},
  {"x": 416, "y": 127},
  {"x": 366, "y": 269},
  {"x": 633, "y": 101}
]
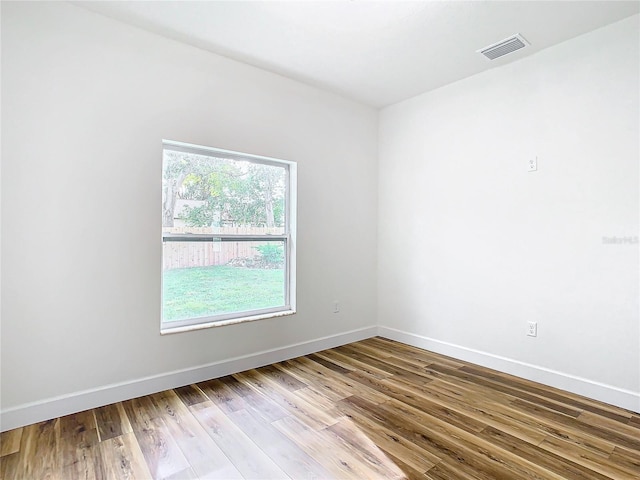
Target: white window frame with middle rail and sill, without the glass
[{"x": 288, "y": 237}]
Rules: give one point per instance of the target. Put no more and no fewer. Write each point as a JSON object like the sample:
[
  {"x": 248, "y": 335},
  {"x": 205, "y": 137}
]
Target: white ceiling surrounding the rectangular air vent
[{"x": 378, "y": 52}]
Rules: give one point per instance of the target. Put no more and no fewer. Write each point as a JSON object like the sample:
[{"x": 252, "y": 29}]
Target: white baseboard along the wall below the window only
[{"x": 76, "y": 402}]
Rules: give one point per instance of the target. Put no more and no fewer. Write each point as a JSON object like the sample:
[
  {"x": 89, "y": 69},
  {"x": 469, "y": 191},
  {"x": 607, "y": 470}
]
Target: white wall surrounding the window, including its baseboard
[{"x": 86, "y": 102}]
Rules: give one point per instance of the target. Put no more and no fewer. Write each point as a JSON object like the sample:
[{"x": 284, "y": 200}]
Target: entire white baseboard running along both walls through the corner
[{"x": 76, "y": 402}]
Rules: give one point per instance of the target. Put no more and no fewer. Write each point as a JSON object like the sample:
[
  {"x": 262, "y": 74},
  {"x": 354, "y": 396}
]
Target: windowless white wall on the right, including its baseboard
[{"x": 472, "y": 246}]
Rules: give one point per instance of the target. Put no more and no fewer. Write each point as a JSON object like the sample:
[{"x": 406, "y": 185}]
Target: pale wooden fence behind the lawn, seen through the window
[{"x": 205, "y": 254}]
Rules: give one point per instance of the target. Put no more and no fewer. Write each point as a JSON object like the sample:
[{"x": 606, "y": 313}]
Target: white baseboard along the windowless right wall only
[{"x": 581, "y": 386}]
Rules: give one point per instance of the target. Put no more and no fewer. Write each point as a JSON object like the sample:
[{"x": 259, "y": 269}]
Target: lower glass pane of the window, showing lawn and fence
[{"x": 202, "y": 279}]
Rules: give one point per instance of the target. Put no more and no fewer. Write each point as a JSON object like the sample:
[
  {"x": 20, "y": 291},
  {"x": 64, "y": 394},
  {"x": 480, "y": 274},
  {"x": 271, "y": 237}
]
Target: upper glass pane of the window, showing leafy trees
[{"x": 207, "y": 194}]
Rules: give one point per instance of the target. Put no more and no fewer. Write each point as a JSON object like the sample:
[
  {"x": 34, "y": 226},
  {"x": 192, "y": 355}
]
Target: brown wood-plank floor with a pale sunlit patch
[{"x": 368, "y": 410}]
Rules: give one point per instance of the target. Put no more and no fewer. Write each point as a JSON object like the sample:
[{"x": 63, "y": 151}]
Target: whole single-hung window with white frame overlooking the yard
[{"x": 228, "y": 237}]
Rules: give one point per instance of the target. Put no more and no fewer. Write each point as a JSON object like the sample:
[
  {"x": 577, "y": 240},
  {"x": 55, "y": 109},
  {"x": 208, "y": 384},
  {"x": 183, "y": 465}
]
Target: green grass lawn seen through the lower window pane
[{"x": 204, "y": 291}]
